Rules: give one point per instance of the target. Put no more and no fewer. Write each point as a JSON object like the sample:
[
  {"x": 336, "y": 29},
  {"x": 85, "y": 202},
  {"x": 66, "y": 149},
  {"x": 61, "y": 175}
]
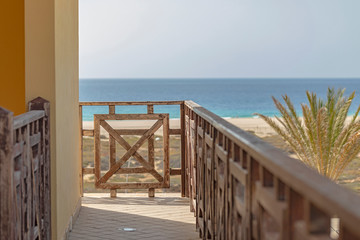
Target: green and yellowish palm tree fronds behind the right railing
[{"x": 321, "y": 138}]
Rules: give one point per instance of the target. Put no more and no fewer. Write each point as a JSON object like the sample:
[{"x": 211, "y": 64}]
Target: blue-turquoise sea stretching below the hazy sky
[{"x": 228, "y": 98}]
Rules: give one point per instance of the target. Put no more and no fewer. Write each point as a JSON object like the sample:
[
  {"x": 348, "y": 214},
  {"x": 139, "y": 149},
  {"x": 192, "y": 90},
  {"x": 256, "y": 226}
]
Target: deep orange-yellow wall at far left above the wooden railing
[{"x": 12, "y": 56}]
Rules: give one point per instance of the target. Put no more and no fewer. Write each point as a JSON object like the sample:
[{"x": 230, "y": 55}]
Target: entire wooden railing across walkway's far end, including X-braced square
[{"x": 114, "y": 136}]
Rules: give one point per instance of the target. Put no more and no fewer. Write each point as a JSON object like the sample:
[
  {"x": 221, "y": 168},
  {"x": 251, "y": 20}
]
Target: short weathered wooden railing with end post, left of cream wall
[{"x": 25, "y": 173}]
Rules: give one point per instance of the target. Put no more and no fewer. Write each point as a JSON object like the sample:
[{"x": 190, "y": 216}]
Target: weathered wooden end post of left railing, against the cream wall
[{"x": 42, "y": 104}]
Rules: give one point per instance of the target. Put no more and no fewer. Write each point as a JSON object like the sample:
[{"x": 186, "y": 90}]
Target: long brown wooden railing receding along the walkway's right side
[{"x": 243, "y": 188}]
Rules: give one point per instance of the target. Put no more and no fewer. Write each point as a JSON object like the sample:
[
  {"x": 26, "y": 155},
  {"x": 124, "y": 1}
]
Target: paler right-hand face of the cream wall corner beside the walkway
[{"x": 67, "y": 111}]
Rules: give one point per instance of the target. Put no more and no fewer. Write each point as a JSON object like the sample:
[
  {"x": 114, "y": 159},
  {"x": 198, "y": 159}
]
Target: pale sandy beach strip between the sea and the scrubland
[{"x": 255, "y": 125}]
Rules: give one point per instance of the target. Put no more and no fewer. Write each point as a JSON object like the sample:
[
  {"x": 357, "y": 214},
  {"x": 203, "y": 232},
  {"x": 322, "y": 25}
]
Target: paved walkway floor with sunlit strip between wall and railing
[{"x": 134, "y": 216}]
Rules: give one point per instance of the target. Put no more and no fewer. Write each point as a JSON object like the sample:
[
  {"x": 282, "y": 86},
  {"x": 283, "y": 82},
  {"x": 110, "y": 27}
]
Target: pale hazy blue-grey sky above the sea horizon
[{"x": 219, "y": 38}]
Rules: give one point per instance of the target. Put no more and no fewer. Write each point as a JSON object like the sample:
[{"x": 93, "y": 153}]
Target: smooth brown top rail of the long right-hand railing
[{"x": 327, "y": 195}]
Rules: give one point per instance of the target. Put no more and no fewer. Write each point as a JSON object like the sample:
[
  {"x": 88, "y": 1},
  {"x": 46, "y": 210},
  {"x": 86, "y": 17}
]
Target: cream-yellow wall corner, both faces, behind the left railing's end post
[{"x": 52, "y": 72}]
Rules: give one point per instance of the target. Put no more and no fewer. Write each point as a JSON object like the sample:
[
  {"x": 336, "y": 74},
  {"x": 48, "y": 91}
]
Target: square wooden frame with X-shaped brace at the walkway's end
[{"x": 116, "y": 167}]
